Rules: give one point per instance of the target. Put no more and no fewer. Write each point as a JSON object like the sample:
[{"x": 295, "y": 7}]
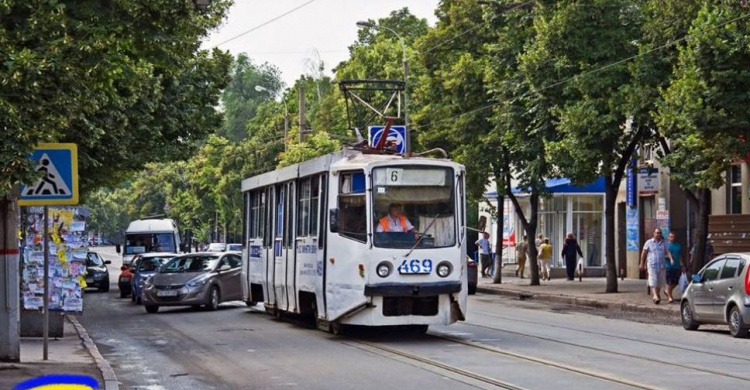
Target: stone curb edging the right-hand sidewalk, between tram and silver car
[{"x": 578, "y": 301}]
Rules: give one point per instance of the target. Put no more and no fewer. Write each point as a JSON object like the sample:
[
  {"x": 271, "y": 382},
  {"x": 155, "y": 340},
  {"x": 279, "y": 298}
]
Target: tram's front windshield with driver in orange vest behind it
[{"x": 414, "y": 206}]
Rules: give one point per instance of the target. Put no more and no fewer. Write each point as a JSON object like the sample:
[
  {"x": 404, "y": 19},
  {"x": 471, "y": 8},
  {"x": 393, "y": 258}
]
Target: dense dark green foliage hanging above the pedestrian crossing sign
[{"x": 122, "y": 79}]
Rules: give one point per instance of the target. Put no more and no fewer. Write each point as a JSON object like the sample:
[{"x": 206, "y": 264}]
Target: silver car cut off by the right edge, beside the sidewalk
[{"x": 719, "y": 294}]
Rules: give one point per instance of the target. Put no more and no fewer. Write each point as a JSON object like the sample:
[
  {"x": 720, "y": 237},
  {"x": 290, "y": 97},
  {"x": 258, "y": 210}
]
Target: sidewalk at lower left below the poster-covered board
[{"x": 67, "y": 355}]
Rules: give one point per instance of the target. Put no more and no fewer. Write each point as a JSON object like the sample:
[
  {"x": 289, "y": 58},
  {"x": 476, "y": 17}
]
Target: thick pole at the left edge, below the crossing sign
[{"x": 10, "y": 316}]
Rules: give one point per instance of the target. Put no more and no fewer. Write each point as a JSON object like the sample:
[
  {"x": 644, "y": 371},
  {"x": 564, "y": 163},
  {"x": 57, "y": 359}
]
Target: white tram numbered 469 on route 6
[{"x": 315, "y": 243}]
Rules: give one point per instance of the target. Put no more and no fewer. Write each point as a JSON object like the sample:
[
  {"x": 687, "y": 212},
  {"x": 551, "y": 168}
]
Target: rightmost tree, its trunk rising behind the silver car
[{"x": 704, "y": 109}]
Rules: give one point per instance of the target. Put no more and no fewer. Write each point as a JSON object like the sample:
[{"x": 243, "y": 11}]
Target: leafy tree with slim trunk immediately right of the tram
[{"x": 449, "y": 102}]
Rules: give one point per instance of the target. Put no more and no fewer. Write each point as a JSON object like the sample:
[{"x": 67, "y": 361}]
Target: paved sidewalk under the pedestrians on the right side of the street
[{"x": 631, "y": 295}]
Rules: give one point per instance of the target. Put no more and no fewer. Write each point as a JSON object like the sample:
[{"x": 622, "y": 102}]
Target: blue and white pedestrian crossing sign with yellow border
[{"x": 57, "y": 165}]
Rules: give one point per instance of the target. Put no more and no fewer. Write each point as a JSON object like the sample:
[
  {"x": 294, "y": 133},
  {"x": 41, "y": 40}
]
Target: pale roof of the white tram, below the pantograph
[{"x": 346, "y": 159}]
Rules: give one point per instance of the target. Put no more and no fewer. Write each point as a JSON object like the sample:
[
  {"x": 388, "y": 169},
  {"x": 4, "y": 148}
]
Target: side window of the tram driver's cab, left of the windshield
[{"x": 352, "y": 206}]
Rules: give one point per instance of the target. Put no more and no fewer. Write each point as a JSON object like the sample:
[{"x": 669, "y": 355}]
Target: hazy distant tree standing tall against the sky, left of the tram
[{"x": 241, "y": 99}]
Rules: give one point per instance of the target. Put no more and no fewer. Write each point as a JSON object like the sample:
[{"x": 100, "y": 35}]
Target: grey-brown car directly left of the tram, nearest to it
[{"x": 193, "y": 280}]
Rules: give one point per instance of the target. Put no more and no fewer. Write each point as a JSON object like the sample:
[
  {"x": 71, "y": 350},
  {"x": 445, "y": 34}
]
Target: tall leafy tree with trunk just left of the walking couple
[{"x": 577, "y": 63}]
